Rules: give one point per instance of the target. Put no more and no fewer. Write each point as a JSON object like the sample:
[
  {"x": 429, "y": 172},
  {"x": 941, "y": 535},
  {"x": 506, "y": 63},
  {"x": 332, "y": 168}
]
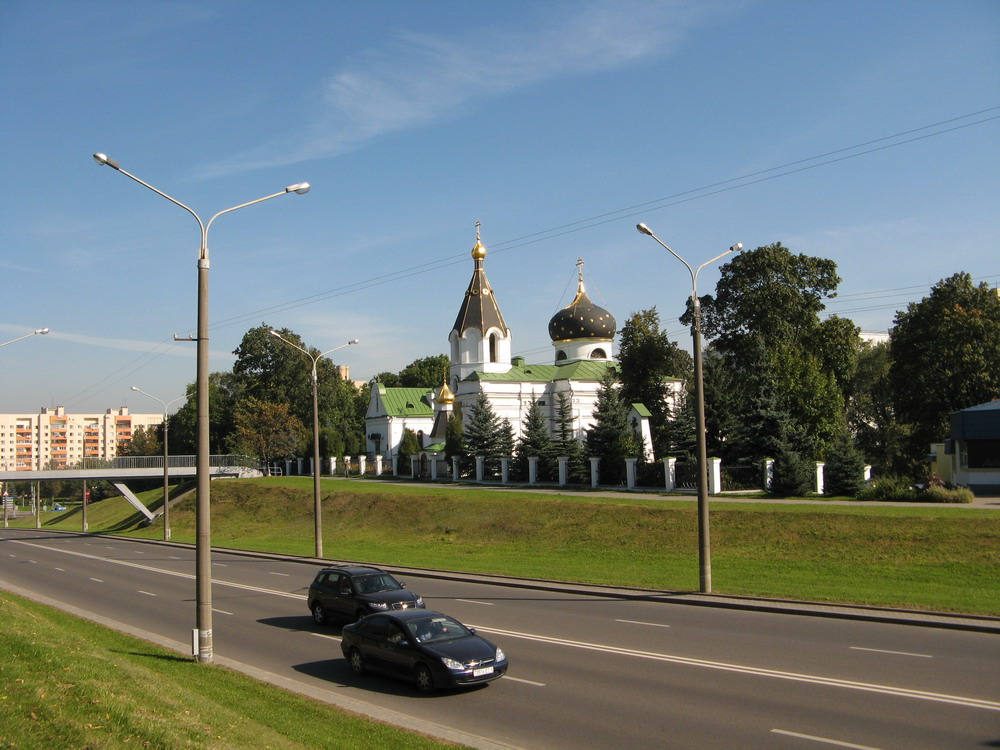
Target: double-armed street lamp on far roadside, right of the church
[{"x": 704, "y": 546}]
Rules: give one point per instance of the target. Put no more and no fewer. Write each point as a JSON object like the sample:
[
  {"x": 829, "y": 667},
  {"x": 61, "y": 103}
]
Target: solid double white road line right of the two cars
[{"x": 759, "y": 671}]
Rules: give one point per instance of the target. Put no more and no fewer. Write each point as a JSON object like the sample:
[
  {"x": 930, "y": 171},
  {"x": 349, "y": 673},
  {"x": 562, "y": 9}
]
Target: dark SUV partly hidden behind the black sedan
[{"x": 349, "y": 592}]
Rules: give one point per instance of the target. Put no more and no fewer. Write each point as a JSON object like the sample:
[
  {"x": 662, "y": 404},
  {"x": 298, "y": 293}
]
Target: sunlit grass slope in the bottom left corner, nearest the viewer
[{"x": 70, "y": 683}]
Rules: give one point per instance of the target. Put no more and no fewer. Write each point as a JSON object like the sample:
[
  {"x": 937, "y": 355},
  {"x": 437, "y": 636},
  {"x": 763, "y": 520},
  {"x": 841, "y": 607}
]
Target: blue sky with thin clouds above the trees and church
[{"x": 863, "y": 131}]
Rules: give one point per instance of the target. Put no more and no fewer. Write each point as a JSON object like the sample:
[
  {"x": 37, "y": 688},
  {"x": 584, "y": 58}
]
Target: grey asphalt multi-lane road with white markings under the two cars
[{"x": 587, "y": 671}]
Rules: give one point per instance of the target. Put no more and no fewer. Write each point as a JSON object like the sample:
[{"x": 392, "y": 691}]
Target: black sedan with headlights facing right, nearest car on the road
[{"x": 429, "y": 648}]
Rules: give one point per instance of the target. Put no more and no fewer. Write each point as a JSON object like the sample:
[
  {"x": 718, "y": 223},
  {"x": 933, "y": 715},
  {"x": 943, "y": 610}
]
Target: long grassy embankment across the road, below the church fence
[{"x": 936, "y": 557}]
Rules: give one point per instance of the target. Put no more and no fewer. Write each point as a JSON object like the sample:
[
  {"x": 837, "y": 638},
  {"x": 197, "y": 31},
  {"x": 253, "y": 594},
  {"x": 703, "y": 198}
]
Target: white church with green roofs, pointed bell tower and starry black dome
[{"x": 480, "y": 345}]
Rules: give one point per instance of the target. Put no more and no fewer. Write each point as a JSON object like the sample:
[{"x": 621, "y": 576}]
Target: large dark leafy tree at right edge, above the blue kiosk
[{"x": 945, "y": 353}]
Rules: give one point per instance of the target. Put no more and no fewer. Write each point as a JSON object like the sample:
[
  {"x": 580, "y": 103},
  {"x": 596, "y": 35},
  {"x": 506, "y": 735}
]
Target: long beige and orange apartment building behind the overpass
[{"x": 52, "y": 438}]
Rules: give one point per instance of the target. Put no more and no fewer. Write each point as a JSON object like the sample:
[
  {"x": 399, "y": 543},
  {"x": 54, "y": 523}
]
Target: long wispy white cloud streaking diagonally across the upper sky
[{"x": 420, "y": 79}]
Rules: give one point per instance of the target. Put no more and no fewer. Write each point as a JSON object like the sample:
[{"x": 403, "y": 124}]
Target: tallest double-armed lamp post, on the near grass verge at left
[{"x": 203, "y": 550}]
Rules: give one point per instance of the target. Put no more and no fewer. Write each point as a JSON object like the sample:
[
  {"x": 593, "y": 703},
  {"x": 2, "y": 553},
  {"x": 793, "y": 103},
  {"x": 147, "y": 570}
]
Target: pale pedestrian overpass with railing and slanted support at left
[{"x": 119, "y": 470}]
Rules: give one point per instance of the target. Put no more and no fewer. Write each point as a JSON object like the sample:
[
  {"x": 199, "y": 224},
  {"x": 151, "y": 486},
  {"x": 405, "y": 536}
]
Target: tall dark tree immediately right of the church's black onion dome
[{"x": 648, "y": 357}]
